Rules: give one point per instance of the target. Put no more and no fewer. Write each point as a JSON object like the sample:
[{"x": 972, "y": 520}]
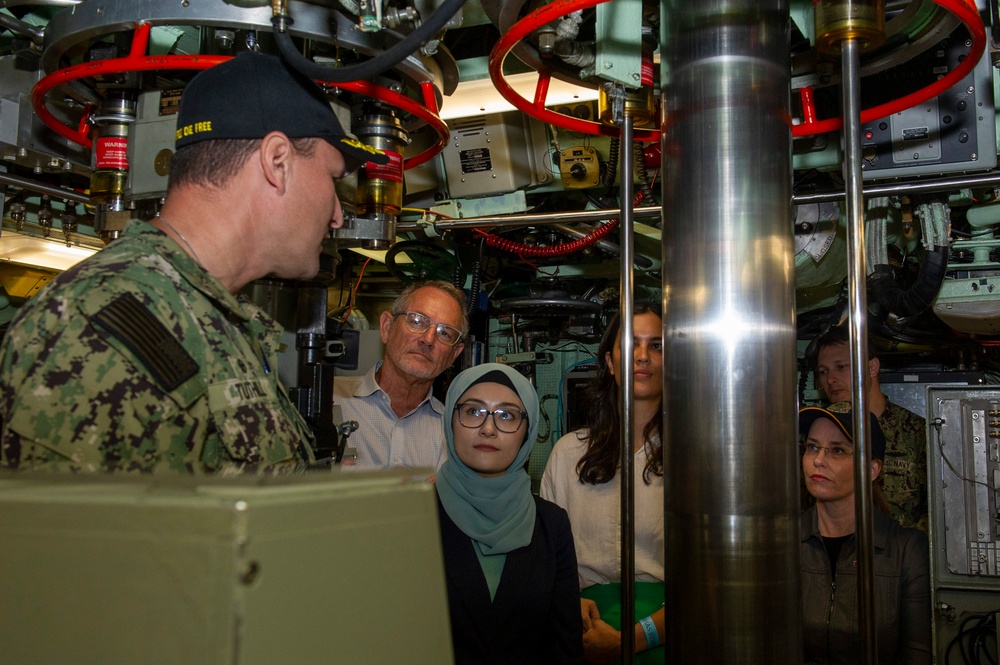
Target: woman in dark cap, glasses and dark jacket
[{"x": 828, "y": 553}]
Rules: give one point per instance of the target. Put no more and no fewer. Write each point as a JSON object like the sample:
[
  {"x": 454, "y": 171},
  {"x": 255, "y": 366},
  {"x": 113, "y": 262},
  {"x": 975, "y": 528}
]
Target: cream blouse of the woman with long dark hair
[{"x": 595, "y": 515}]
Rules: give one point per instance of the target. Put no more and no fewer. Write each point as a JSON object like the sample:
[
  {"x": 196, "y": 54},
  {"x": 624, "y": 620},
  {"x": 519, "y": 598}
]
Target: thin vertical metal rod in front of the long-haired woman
[{"x": 626, "y": 390}]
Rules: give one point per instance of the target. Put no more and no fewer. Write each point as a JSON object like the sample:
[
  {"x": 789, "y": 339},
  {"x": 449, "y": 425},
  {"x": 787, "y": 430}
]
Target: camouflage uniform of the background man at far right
[{"x": 904, "y": 469}]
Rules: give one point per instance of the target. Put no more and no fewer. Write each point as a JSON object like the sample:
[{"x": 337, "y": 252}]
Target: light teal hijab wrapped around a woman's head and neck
[{"x": 499, "y": 512}]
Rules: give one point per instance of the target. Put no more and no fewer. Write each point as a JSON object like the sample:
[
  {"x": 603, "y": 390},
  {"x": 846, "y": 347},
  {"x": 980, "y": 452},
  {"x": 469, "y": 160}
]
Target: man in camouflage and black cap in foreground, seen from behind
[{"x": 142, "y": 358}]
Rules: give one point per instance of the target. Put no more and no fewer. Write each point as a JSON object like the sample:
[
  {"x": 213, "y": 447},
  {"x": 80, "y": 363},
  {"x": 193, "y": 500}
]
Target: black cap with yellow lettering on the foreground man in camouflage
[{"x": 254, "y": 94}]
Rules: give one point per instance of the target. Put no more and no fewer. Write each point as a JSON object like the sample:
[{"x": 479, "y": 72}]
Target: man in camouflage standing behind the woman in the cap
[{"x": 904, "y": 471}]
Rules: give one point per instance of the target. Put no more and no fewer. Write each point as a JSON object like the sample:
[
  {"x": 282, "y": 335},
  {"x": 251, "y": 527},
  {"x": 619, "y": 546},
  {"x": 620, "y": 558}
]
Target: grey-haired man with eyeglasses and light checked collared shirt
[{"x": 399, "y": 419}]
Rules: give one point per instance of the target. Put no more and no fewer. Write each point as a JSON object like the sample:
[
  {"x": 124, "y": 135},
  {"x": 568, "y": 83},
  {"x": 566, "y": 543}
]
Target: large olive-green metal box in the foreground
[{"x": 316, "y": 569}]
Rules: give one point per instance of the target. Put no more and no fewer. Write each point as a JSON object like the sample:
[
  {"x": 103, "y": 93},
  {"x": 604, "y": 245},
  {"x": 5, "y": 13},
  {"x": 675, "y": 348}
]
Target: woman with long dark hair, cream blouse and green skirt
[{"x": 582, "y": 477}]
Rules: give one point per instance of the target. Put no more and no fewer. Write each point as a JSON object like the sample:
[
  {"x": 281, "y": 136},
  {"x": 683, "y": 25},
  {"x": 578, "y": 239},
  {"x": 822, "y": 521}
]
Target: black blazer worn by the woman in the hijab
[{"x": 535, "y": 617}]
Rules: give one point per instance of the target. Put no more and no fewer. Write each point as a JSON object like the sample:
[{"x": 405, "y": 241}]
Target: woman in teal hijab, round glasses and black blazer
[{"x": 509, "y": 560}]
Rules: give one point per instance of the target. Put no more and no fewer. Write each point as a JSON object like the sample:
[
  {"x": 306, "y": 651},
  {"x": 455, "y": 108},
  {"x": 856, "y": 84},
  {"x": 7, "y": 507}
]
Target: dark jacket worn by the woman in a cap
[{"x": 902, "y": 596}]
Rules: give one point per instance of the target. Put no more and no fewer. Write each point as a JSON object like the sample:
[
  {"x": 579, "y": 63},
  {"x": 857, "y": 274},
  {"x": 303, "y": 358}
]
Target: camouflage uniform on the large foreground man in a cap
[{"x": 138, "y": 359}]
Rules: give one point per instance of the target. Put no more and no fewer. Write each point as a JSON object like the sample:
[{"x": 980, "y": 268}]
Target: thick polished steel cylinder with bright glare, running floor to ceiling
[{"x": 730, "y": 453}]
